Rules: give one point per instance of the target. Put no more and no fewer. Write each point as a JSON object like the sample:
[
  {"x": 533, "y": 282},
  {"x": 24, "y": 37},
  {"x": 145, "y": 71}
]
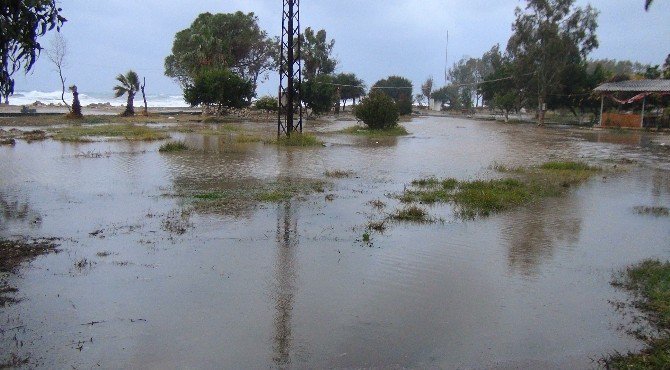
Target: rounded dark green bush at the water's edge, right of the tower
[{"x": 377, "y": 111}]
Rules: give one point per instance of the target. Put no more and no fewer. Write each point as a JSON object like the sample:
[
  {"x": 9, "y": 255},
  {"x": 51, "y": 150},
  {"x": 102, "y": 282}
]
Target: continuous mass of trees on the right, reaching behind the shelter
[{"x": 545, "y": 65}]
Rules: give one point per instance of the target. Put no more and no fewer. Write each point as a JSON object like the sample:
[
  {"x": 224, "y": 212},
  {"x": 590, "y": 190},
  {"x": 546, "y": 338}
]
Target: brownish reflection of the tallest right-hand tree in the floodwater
[{"x": 533, "y": 233}]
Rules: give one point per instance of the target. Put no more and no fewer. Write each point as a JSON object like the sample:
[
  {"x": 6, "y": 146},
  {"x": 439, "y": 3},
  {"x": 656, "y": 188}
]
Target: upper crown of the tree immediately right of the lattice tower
[{"x": 316, "y": 53}]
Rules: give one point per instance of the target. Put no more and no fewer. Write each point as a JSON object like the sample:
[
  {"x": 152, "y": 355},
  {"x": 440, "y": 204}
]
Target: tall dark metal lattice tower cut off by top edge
[{"x": 290, "y": 71}]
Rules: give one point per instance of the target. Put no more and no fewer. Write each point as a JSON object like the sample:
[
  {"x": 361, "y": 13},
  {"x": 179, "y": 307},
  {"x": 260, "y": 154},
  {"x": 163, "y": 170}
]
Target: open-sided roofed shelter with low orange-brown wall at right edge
[{"x": 639, "y": 91}]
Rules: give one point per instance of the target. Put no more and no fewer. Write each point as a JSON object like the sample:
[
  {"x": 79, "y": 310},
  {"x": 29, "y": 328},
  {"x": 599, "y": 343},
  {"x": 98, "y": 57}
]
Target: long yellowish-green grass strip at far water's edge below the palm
[{"x": 129, "y": 132}]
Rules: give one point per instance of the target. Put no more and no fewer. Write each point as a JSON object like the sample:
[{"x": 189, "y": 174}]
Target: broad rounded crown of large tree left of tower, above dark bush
[{"x": 233, "y": 41}]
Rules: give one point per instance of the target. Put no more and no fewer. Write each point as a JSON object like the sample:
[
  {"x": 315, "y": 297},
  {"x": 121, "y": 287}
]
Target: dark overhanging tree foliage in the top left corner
[{"x": 21, "y": 24}]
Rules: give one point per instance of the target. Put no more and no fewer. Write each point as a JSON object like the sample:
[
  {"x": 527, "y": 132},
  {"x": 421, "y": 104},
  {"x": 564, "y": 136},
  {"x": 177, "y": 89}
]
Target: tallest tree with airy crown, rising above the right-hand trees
[{"x": 549, "y": 36}]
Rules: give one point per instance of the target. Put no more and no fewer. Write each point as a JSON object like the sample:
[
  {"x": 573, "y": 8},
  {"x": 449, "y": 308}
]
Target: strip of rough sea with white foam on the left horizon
[{"x": 86, "y": 98}]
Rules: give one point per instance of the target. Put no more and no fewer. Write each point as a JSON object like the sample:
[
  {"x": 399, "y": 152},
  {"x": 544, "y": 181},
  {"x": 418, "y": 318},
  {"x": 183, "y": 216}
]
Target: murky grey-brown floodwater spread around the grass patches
[{"x": 291, "y": 284}]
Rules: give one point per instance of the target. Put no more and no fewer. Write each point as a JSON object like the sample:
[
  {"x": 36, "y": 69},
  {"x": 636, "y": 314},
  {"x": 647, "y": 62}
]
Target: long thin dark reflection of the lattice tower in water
[{"x": 285, "y": 276}]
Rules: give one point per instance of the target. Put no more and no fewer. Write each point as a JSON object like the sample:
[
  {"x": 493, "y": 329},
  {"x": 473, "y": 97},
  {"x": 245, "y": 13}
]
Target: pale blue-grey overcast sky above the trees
[{"x": 373, "y": 39}]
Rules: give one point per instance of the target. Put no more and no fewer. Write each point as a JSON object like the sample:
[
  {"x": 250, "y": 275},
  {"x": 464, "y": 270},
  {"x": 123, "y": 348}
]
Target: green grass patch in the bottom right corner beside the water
[{"x": 649, "y": 282}]
